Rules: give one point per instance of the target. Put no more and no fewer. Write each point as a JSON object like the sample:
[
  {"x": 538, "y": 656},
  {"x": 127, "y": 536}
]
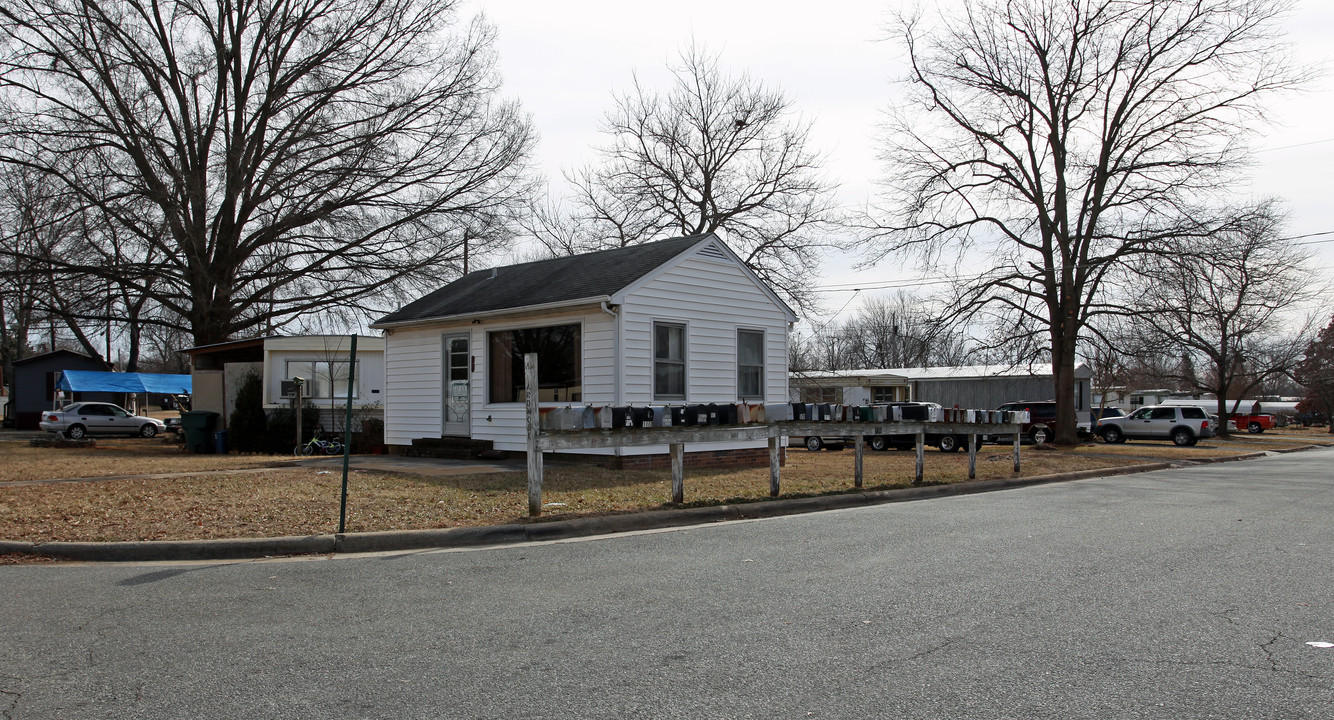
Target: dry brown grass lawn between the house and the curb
[{"x": 302, "y": 501}]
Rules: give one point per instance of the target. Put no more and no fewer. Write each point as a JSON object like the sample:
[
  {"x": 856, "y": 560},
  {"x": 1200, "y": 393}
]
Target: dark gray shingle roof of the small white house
[{"x": 544, "y": 282}]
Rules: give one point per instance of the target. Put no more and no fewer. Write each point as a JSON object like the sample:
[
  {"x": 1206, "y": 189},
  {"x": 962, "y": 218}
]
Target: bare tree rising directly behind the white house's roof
[{"x": 713, "y": 153}]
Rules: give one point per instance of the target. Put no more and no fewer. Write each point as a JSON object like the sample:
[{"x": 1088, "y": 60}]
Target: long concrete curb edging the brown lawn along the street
[{"x": 247, "y": 549}]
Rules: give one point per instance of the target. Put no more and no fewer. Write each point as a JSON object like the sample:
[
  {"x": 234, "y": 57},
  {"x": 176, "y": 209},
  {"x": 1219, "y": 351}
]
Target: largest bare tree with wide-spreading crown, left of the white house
[{"x": 262, "y": 161}]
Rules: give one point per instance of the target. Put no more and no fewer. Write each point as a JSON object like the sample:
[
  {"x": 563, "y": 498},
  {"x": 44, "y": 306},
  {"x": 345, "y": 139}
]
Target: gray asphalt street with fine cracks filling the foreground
[{"x": 1171, "y": 595}]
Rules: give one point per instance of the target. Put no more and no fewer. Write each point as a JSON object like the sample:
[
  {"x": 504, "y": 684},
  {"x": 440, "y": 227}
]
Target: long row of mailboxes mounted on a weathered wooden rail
[{"x": 726, "y": 414}]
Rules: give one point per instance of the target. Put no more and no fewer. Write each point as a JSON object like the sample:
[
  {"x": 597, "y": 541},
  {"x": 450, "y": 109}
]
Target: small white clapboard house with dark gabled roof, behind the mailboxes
[{"x": 673, "y": 322}]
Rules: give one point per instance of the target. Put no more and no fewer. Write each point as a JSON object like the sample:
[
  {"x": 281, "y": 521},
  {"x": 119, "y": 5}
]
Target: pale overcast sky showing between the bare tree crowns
[{"x": 565, "y": 59}]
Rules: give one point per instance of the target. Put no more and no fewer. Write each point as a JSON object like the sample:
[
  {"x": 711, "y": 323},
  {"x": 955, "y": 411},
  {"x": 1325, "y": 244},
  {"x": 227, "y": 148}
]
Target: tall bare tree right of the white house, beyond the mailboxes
[{"x": 1067, "y": 137}]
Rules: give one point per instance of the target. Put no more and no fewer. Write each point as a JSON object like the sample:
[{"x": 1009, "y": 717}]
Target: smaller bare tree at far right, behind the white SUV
[{"x": 1231, "y": 307}]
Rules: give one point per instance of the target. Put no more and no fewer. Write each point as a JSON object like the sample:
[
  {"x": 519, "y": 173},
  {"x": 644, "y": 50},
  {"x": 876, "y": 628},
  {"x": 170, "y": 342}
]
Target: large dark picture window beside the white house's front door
[{"x": 560, "y": 363}]
